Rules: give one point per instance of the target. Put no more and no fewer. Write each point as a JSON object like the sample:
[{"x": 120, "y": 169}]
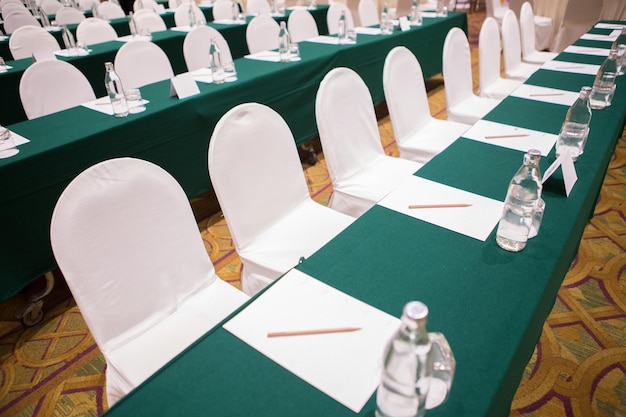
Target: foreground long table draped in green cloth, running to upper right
[{"x": 490, "y": 304}]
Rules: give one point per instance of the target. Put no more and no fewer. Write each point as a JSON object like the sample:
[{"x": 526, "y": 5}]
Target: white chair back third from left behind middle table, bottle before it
[{"x": 196, "y": 46}]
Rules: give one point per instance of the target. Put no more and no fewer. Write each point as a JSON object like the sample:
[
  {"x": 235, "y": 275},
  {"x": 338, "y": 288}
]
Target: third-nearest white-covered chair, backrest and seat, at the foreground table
[{"x": 360, "y": 172}]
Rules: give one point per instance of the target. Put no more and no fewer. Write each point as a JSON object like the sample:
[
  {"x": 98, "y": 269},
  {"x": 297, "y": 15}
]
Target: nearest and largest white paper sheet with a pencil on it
[{"x": 345, "y": 366}]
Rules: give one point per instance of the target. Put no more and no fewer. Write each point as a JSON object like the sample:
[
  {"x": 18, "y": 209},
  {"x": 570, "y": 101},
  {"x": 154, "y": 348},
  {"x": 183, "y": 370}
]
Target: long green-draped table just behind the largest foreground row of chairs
[{"x": 174, "y": 133}]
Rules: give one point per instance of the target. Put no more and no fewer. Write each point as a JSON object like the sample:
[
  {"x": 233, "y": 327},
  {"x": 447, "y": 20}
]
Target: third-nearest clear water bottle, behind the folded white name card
[{"x": 575, "y": 129}]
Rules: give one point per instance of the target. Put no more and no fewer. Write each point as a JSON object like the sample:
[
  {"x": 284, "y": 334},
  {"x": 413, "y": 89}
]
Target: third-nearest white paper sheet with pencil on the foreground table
[{"x": 484, "y": 129}]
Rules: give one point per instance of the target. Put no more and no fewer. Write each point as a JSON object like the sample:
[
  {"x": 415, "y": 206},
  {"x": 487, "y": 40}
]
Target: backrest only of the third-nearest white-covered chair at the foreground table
[{"x": 346, "y": 122}]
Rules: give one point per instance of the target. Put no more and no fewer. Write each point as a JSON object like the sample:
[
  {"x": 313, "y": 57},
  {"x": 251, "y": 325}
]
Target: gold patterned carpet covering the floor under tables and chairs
[{"x": 578, "y": 368}]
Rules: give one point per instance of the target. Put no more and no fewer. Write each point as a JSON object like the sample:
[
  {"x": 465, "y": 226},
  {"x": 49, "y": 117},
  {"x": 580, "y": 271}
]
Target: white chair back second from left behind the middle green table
[{"x": 141, "y": 62}]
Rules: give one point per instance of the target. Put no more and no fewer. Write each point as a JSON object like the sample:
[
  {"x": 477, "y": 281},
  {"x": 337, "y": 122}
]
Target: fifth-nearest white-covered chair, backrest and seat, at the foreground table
[{"x": 462, "y": 104}]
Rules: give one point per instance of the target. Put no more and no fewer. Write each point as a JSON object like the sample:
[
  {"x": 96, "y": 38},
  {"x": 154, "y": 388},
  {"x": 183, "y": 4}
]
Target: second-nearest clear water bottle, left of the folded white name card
[{"x": 520, "y": 203}]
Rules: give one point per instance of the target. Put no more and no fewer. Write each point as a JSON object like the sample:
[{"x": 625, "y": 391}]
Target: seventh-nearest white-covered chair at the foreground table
[{"x": 512, "y": 50}]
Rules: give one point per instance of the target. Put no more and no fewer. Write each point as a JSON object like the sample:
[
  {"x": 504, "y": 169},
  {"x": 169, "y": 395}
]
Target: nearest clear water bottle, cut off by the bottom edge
[{"x": 407, "y": 367}]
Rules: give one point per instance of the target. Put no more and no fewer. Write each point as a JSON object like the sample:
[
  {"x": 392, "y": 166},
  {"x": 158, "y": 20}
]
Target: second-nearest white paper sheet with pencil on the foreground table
[{"x": 476, "y": 221}]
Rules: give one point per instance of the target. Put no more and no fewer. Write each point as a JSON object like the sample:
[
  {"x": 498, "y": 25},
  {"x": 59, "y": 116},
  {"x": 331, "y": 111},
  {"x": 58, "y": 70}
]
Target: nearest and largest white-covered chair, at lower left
[{"x": 125, "y": 238}]
